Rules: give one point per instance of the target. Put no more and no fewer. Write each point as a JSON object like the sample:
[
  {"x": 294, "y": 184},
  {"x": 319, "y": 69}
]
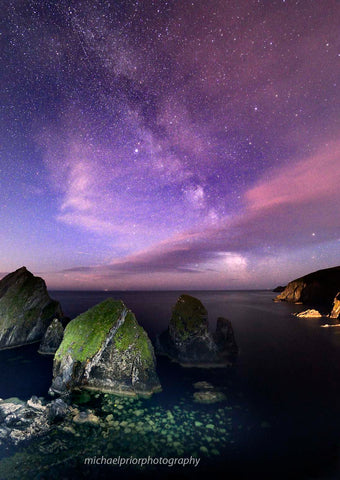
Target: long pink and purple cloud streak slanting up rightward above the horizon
[{"x": 278, "y": 212}]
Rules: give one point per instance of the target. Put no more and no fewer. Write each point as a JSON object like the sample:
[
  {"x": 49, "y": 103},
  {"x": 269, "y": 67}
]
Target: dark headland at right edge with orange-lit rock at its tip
[{"x": 317, "y": 288}]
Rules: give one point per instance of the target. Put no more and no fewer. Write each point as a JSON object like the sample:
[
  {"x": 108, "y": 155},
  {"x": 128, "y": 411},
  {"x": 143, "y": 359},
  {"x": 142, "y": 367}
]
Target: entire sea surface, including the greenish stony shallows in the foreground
[{"x": 280, "y": 419}]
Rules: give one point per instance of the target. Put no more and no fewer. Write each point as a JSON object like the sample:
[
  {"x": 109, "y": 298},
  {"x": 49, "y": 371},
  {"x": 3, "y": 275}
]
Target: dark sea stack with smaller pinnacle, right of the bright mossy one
[{"x": 188, "y": 339}]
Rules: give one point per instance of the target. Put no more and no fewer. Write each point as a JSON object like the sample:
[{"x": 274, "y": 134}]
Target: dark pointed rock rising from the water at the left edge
[{"x": 26, "y": 309}]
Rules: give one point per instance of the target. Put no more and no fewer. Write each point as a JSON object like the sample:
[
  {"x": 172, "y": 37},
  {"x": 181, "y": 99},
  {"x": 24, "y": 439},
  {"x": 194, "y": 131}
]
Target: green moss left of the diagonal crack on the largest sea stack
[{"x": 85, "y": 334}]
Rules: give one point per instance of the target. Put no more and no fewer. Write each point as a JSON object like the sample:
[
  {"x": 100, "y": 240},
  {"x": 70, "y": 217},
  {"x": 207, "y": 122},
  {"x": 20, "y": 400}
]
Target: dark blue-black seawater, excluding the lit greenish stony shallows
[{"x": 284, "y": 388}]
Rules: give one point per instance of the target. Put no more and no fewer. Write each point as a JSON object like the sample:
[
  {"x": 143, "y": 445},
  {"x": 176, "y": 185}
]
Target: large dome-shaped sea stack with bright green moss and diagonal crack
[{"x": 105, "y": 349}]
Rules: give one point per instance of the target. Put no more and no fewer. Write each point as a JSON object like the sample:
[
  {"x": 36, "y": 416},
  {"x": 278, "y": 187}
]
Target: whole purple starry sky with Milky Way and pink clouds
[{"x": 169, "y": 144}]
